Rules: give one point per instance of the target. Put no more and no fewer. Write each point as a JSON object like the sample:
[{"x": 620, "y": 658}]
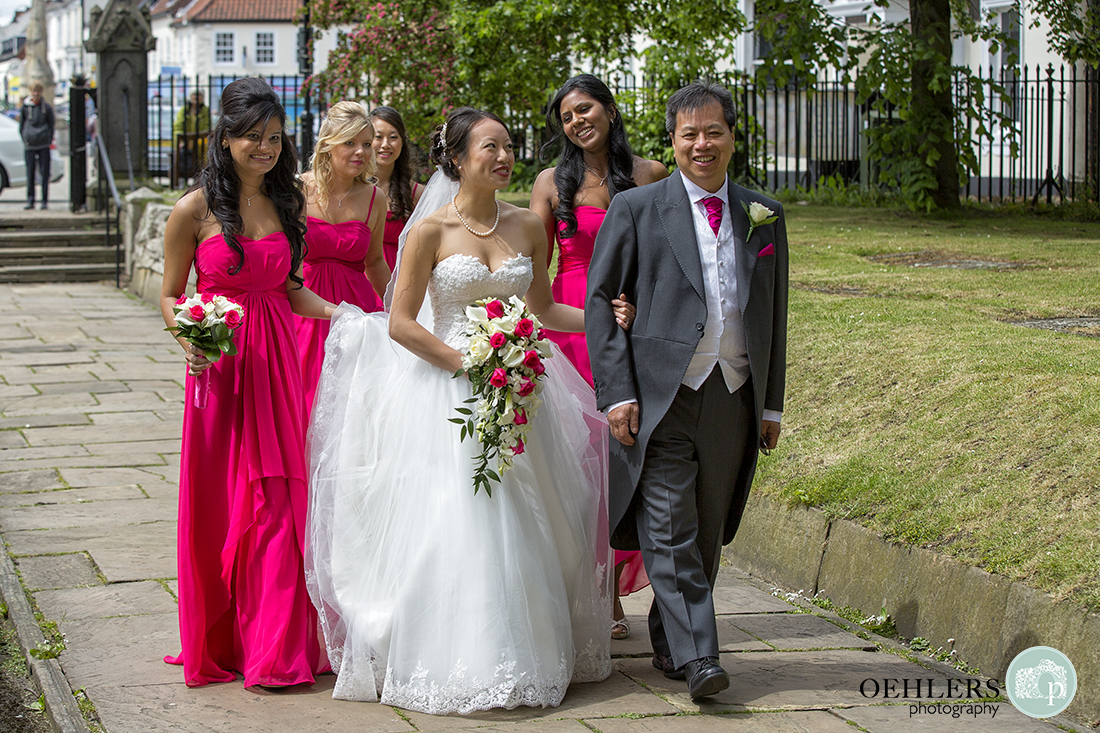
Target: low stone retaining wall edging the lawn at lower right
[{"x": 987, "y": 619}]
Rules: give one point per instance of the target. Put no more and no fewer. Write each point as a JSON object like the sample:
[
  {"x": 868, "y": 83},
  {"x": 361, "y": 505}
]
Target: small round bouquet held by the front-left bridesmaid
[{"x": 208, "y": 323}]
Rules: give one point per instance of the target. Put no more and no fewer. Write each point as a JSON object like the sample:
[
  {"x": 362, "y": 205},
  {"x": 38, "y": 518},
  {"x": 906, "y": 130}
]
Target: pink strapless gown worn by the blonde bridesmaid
[{"x": 334, "y": 269}]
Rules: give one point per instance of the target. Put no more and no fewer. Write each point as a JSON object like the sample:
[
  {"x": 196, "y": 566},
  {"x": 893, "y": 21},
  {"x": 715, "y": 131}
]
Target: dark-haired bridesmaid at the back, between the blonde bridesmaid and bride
[{"x": 394, "y": 176}]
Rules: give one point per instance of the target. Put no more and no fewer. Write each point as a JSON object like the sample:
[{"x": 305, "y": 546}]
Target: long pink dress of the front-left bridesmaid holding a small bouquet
[{"x": 244, "y": 605}]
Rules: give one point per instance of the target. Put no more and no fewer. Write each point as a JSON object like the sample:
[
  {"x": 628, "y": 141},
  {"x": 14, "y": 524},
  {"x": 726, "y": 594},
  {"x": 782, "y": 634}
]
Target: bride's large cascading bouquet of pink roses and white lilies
[{"x": 504, "y": 363}]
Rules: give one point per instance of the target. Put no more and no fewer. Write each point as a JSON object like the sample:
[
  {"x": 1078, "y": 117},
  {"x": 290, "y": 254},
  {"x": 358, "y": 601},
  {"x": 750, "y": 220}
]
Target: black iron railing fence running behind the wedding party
[{"x": 794, "y": 137}]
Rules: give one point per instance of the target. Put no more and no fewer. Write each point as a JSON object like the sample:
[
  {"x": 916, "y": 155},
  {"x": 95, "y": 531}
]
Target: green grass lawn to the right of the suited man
[{"x": 917, "y": 408}]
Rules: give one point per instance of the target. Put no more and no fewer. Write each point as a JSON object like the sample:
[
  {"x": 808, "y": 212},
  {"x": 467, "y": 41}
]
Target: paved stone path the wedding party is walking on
[{"x": 91, "y": 409}]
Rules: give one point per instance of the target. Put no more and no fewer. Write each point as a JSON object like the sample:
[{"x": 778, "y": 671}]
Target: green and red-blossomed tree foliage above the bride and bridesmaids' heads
[{"x": 510, "y": 56}]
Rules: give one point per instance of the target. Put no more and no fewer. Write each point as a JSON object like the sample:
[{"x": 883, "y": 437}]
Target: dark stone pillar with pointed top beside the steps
[{"x": 123, "y": 37}]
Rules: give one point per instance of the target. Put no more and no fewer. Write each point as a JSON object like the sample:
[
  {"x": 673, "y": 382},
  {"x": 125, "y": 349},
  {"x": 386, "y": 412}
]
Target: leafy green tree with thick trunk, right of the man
[{"x": 922, "y": 114}]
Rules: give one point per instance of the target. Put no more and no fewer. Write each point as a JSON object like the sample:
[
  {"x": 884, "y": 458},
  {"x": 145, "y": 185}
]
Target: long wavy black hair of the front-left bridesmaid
[{"x": 246, "y": 104}]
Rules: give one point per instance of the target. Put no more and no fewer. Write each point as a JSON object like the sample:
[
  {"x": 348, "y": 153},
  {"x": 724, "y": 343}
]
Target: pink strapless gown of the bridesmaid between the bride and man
[{"x": 570, "y": 287}]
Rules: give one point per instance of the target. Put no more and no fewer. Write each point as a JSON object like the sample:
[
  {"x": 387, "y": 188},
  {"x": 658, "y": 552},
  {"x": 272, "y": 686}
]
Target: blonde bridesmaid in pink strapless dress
[{"x": 345, "y": 217}]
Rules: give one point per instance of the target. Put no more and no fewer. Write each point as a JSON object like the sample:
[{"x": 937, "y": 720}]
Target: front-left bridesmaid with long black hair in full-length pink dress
[{"x": 244, "y": 605}]
